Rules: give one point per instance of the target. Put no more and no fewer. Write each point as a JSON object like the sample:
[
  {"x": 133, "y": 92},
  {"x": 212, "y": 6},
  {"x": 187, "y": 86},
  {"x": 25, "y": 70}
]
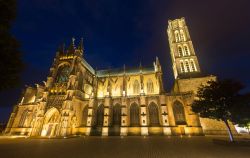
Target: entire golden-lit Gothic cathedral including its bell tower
[{"x": 79, "y": 100}]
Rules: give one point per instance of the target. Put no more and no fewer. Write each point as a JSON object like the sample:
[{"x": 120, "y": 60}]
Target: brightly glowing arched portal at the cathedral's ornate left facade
[{"x": 51, "y": 121}]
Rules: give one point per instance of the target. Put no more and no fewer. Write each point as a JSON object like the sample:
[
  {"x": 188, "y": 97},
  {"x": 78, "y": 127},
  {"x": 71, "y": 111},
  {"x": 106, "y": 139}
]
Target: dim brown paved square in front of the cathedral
[{"x": 123, "y": 147}]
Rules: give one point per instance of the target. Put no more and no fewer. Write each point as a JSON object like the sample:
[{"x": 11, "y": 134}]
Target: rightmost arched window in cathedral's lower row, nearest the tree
[{"x": 179, "y": 113}]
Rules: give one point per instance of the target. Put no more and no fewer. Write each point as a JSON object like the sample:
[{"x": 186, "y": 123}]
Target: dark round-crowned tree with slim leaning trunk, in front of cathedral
[{"x": 217, "y": 99}]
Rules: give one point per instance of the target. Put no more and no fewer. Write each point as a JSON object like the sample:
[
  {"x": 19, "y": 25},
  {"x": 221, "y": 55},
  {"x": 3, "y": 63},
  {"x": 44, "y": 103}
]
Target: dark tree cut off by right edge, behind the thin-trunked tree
[{"x": 241, "y": 116}]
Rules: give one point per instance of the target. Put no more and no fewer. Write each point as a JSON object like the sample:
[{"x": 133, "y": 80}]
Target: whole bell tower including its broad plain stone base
[{"x": 187, "y": 73}]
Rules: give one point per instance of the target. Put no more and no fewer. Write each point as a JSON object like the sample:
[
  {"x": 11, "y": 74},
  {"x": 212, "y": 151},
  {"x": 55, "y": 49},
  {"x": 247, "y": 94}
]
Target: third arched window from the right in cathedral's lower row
[{"x": 134, "y": 115}]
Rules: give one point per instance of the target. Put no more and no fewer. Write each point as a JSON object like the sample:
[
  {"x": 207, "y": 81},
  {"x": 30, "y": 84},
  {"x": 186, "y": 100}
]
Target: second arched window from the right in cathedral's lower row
[{"x": 153, "y": 114}]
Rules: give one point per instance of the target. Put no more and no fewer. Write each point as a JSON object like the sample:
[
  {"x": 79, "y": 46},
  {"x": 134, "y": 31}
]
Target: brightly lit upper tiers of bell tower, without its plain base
[{"x": 184, "y": 59}]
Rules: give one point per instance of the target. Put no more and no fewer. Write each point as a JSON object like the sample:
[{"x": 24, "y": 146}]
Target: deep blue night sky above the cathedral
[{"x": 128, "y": 32}]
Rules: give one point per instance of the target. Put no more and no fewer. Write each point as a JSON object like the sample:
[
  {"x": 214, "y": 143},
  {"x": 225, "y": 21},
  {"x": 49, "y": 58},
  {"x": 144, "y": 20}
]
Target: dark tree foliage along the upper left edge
[{"x": 10, "y": 57}]
